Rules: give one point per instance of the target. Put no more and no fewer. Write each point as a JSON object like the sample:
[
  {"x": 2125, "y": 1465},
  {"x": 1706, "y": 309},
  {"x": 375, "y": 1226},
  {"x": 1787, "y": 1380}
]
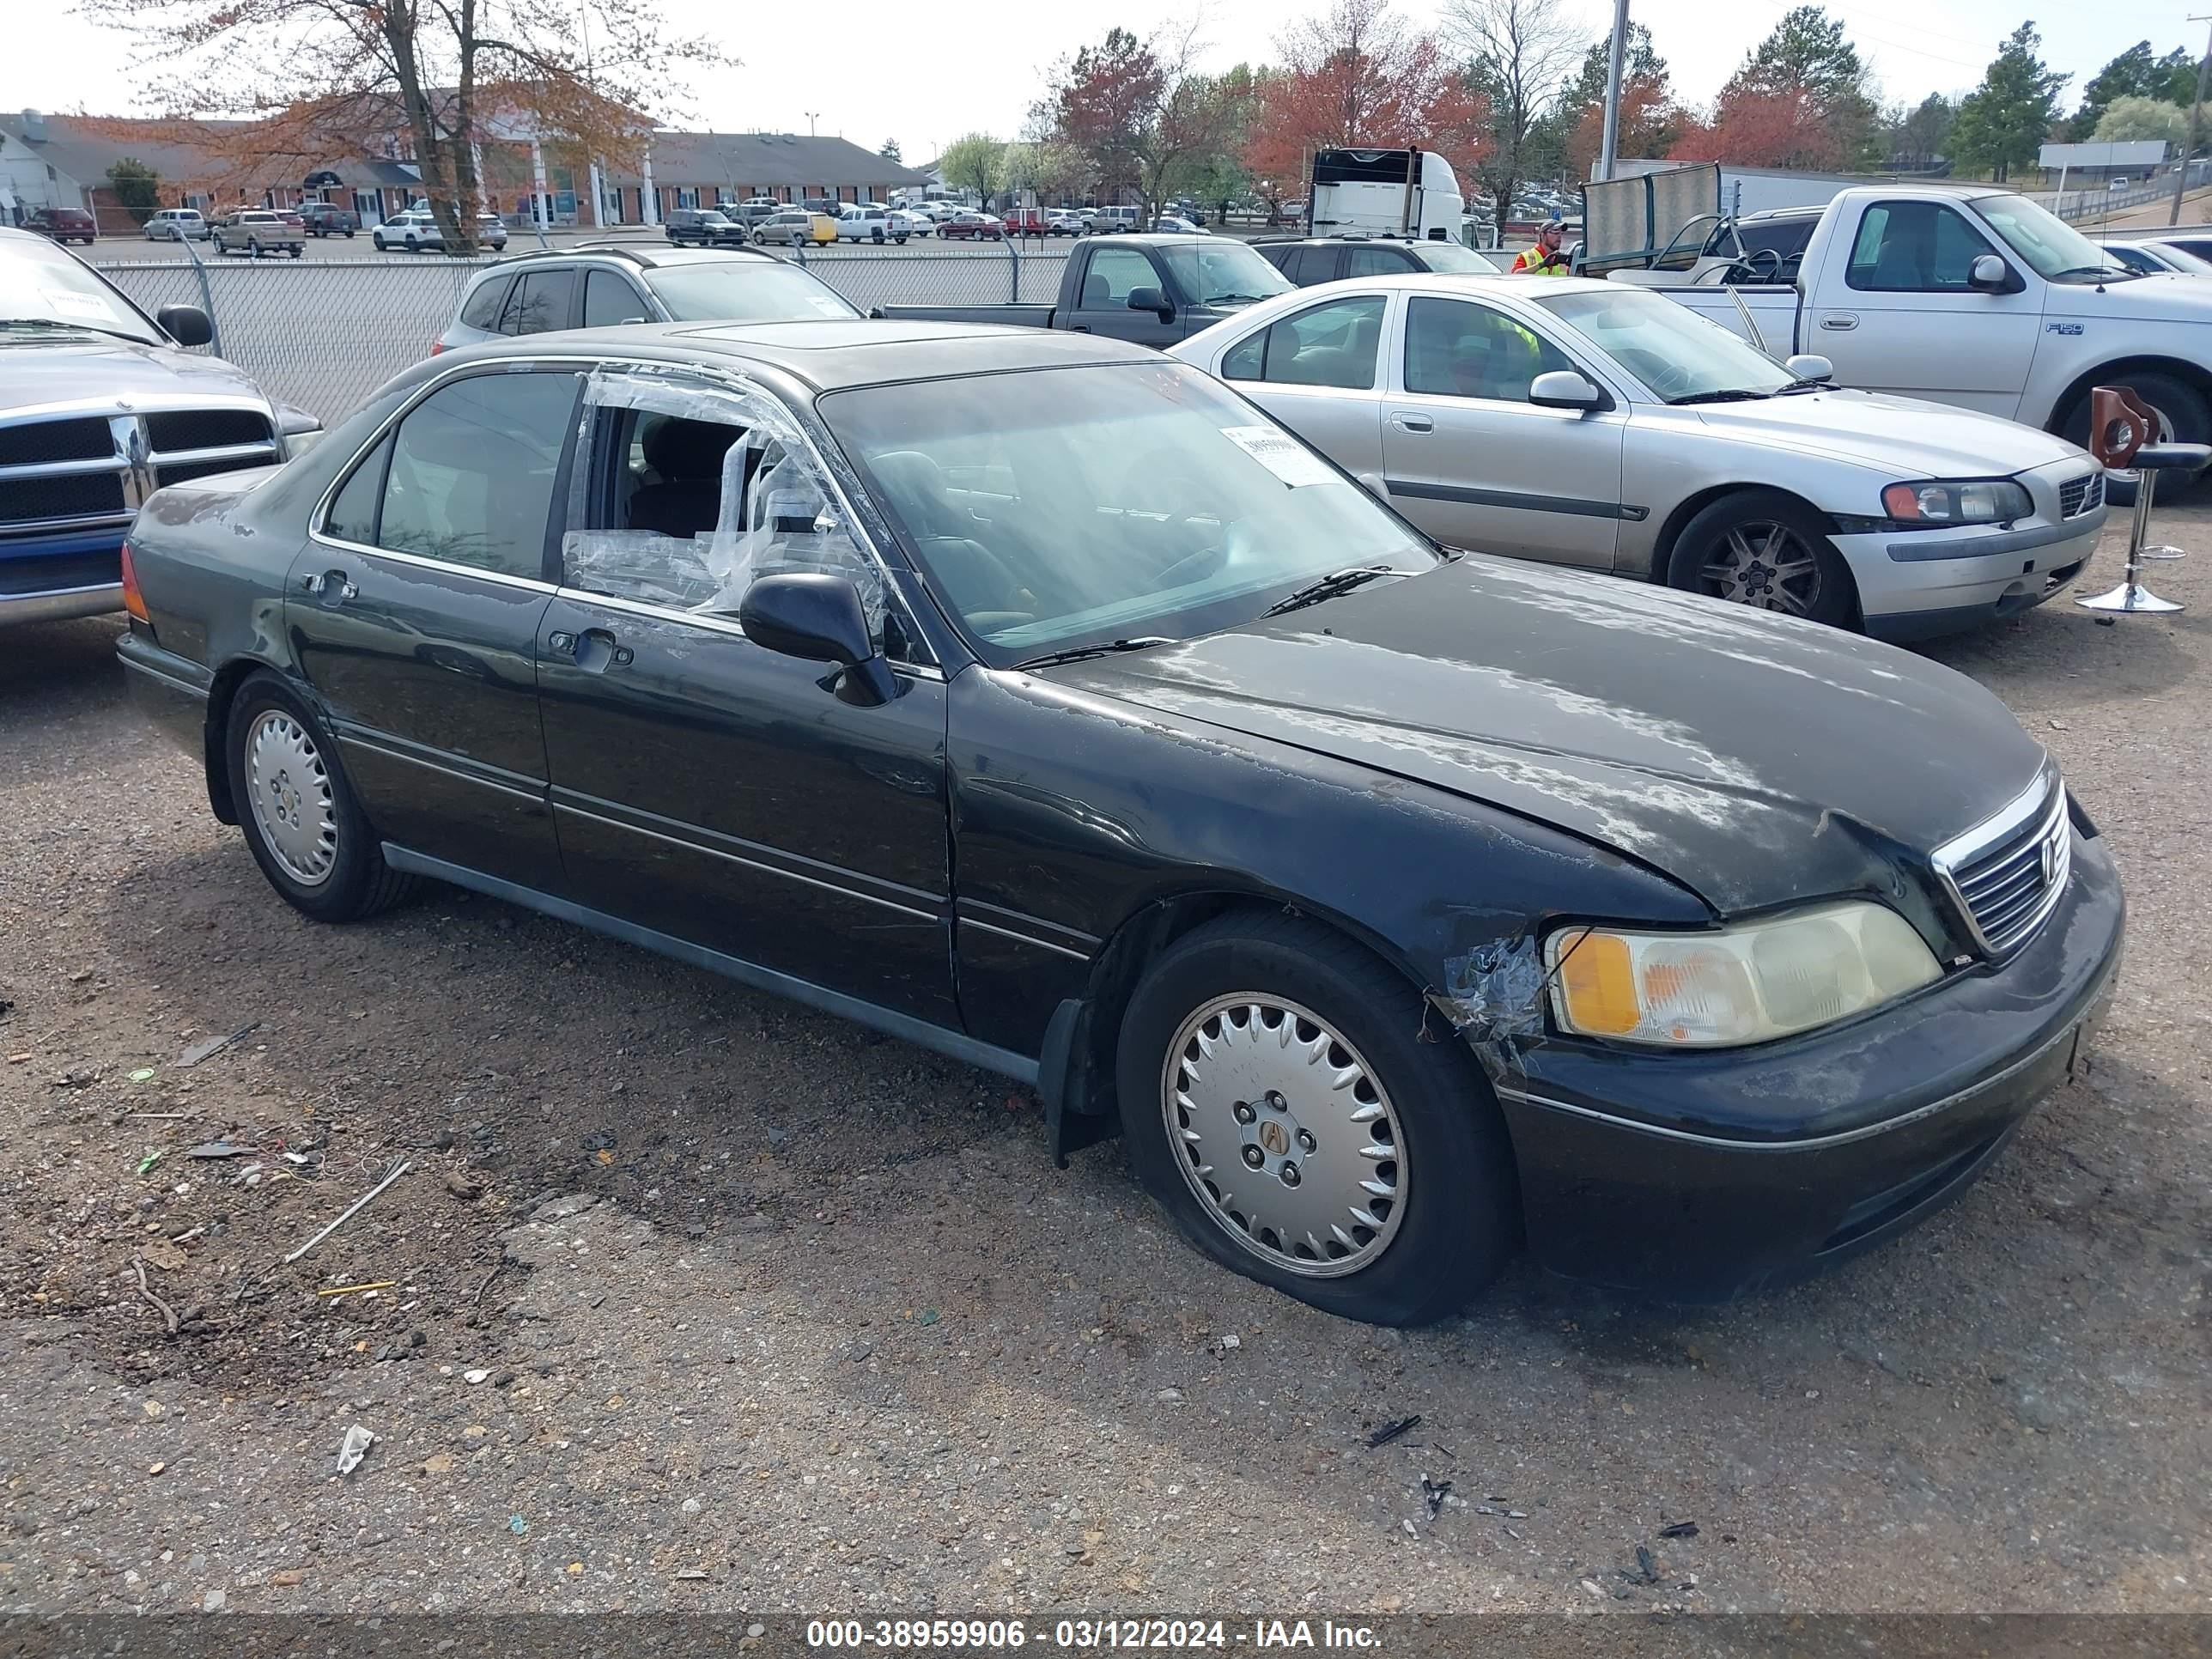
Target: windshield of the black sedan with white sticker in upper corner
[{"x": 1072, "y": 508}]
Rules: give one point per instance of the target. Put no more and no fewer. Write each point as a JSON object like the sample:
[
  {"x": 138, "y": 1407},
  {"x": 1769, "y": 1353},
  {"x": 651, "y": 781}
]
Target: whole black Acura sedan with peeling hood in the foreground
[{"x": 1041, "y": 702}]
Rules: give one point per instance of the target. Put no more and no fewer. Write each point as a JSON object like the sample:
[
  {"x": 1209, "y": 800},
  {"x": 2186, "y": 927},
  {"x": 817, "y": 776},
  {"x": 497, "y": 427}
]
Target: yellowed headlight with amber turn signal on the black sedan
[{"x": 1738, "y": 985}]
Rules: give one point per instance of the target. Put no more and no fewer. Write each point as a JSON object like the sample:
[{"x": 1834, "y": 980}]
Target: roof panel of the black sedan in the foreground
[{"x": 835, "y": 357}]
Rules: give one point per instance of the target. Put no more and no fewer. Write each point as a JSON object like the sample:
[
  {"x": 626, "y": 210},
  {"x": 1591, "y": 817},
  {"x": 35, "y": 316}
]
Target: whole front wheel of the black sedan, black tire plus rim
[{"x": 1454, "y": 1220}]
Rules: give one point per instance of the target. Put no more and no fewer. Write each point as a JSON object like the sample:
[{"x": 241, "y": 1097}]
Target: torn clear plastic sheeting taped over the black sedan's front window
[{"x": 778, "y": 508}]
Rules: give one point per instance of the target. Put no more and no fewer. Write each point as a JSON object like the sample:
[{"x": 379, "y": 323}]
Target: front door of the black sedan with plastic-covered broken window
[{"x": 713, "y": 791}]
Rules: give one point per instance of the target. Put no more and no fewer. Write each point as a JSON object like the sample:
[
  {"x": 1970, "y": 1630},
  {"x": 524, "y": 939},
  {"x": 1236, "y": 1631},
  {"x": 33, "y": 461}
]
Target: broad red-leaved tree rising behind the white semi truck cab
[{"x": 1361, "y": 76}]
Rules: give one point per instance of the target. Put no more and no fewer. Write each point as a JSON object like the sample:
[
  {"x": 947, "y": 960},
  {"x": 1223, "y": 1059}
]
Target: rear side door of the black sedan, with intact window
[{"x": 415, "y": 616}]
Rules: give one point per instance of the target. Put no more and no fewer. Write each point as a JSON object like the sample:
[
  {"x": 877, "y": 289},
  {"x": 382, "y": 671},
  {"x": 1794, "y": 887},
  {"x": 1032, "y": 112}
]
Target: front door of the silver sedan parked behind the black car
[{"x": 1474, "y": 463}]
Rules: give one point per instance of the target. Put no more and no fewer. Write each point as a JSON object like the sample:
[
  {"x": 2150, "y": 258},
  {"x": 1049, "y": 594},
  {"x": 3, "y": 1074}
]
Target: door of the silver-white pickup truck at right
[{"x": 1908, "y": 320}]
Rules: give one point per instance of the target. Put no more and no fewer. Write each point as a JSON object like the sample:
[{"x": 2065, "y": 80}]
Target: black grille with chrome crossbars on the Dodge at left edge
[{"x": 90, "y": 470}]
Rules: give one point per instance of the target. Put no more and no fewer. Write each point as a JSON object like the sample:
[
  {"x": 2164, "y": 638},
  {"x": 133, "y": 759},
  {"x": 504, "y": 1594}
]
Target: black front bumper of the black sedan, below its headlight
[{"x": 1718, "y": 1173}]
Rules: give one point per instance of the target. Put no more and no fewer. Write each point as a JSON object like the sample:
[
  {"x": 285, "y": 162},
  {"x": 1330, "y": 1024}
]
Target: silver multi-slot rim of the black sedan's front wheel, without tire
[{"x": 1284, "y": 1136}]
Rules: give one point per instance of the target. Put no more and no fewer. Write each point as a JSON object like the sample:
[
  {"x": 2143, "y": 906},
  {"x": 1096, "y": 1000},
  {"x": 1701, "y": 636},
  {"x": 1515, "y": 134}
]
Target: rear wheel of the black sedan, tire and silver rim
[{"x": 286, "y": 773}]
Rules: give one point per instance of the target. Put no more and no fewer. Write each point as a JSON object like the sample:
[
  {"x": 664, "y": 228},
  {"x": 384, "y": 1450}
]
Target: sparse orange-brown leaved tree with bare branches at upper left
[{"x": 441, "y": 79}]
